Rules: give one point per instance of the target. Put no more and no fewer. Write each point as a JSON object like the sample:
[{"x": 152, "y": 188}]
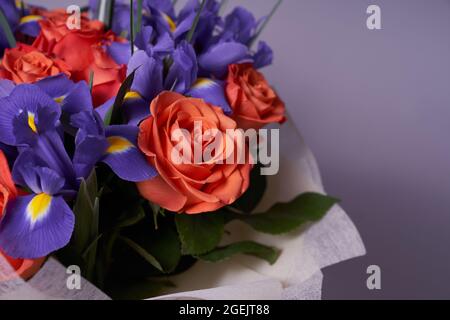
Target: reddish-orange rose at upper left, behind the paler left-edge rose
[{"x": 82, "y": 49}]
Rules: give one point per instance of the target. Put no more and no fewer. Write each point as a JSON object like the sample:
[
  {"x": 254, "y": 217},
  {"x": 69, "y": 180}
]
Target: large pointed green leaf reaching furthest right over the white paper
[{"x": 286, "y": 217}]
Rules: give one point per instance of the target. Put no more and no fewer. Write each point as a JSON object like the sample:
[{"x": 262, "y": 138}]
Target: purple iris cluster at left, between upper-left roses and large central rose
[{"x": 35, "y": 120}]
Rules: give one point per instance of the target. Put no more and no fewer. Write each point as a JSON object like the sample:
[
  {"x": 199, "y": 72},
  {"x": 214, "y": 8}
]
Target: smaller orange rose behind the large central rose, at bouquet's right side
[{"x": 254, "y": 103}]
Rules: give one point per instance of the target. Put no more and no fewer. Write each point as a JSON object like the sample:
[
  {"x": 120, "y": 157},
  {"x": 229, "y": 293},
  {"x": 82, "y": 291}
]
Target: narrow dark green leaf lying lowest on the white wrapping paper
[{"x": 266, "y": 253}]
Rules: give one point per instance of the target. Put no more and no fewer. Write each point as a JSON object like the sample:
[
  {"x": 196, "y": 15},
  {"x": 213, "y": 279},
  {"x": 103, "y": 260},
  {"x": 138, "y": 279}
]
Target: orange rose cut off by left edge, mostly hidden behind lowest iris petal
[{"x": 24, "y": 268}]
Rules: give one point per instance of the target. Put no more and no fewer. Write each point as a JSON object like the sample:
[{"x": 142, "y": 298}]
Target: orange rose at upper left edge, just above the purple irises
[{"x": 25, "y": 64}]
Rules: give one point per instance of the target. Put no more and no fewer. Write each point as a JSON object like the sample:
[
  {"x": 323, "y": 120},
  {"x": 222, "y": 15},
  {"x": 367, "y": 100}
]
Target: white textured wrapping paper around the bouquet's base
[{"x": 296, "y": 275}]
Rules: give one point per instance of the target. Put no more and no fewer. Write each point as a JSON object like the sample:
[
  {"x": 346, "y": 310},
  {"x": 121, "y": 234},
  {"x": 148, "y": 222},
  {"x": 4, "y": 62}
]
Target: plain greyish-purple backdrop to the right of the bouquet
[{"x": 375, "y": 108}]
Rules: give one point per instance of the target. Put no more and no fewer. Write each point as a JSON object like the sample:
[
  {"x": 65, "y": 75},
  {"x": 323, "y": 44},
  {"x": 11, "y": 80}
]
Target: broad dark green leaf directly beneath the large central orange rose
[{"x": 200, "y": 234}]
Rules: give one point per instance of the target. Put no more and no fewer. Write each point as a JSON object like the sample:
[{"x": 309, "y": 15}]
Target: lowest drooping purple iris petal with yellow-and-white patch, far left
[{"x": 37, "y": 224}]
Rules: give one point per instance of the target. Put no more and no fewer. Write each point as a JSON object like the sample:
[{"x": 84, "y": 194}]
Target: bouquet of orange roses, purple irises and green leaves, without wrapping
[{"x": 132, "y": 135}]
